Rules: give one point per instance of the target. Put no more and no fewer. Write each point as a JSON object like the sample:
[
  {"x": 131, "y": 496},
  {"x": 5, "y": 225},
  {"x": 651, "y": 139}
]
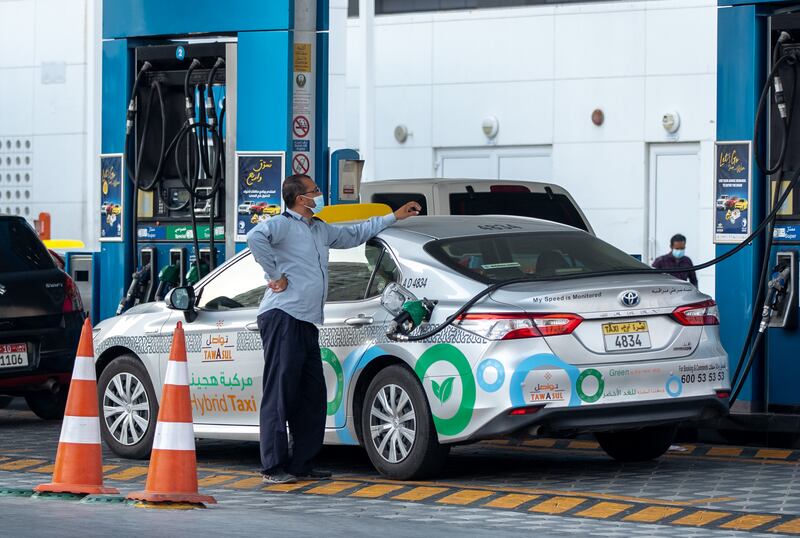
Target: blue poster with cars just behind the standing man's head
[{"x": 259, "y": 177}]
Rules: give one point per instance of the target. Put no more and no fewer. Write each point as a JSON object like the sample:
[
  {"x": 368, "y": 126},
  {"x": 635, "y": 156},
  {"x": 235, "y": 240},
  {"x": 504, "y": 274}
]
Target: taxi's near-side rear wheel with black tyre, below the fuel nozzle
[{"x": 424, "y": 455}]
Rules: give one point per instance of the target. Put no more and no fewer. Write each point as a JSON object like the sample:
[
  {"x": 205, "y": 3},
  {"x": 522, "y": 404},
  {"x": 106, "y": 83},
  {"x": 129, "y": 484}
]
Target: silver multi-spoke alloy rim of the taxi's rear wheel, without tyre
[{"x": 393, "y": 423}]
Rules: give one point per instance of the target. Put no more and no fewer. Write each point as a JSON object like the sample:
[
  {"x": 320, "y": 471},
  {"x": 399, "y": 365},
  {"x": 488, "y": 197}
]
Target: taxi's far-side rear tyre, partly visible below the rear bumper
[{"x": 644, "y": 444}]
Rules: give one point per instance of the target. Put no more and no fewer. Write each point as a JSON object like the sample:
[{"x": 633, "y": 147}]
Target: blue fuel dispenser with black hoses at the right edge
[{"x": 759, "y": 64}]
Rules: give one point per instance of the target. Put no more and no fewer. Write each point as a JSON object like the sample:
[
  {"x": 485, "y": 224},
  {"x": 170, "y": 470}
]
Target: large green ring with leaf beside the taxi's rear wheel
[{"x": 448, "y": 353}]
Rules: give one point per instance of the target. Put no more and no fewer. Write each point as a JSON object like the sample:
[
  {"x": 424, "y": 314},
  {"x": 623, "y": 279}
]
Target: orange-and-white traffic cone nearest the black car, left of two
[{"x": 79, "y": 465}]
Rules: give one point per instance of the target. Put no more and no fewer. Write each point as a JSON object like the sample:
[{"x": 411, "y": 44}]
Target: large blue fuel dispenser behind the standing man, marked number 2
[{"x": 193, "y": 94}]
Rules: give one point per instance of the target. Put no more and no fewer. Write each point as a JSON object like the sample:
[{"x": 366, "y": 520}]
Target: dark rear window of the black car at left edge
[{"x": 25, "y": 252}]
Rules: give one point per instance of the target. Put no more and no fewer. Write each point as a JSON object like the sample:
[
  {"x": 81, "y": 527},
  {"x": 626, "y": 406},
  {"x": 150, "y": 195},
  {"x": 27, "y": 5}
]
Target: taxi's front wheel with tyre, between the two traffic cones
[{"x": 125, "y": 382}]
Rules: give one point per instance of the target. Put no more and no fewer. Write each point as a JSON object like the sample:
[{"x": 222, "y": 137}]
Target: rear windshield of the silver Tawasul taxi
[{"x": 496, "y": 258}]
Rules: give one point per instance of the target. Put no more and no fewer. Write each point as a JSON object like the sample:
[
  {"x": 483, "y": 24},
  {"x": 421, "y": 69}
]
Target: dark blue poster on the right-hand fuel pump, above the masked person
[{"x": 732, "y": 192}]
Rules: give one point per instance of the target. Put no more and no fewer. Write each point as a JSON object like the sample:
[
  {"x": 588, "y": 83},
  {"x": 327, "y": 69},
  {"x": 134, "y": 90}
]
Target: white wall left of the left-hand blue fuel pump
[{"x": 43, "y": 96}]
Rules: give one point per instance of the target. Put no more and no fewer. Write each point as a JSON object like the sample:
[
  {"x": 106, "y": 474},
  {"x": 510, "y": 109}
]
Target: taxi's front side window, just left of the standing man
[{"x": 240, "y": 285}]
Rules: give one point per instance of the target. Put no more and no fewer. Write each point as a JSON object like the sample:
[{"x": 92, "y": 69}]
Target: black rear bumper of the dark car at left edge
[{"x": 51, "y": 356}]
